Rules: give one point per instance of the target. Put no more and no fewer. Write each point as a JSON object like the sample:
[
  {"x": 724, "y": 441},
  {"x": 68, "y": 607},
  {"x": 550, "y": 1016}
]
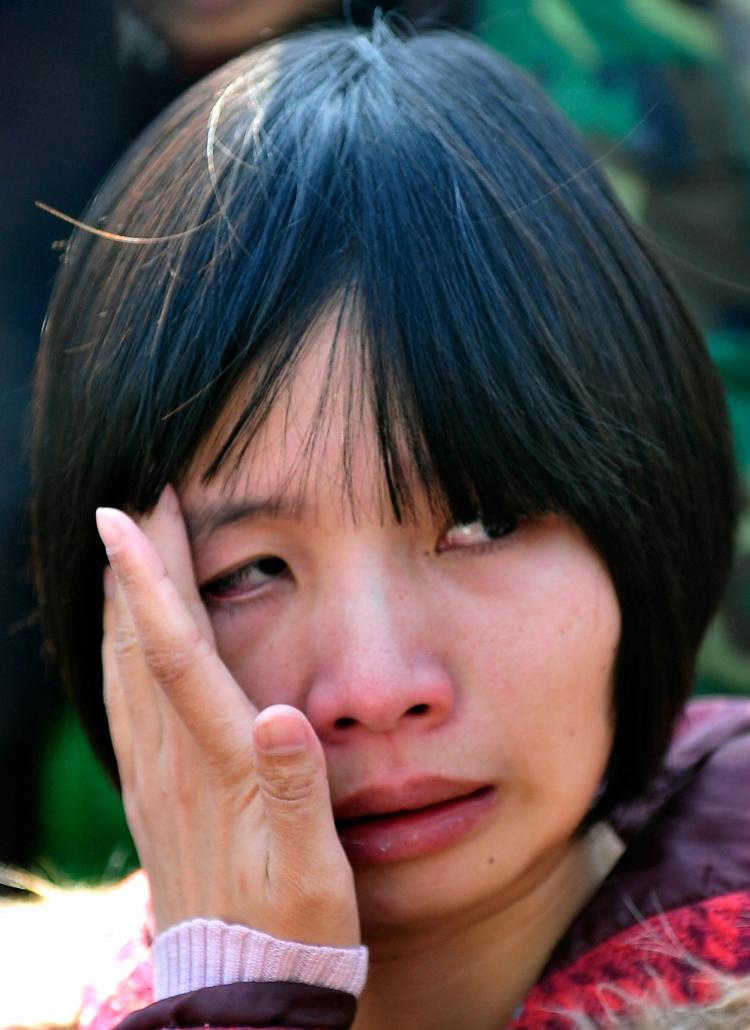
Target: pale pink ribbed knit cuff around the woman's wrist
[{"x": 209, "y": 952}]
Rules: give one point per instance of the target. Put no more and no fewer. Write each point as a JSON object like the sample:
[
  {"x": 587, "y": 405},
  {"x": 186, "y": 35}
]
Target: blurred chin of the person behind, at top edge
[{"x": 208, "y": 32}]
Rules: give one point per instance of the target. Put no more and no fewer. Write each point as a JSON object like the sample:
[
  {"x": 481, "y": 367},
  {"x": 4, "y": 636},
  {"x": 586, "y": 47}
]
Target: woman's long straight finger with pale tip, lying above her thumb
[{"x": 180, "y": 657}]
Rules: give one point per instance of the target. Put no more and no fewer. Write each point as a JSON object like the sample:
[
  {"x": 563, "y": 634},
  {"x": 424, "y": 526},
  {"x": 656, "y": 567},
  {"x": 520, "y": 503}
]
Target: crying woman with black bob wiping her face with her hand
[{"x": 452, "y": 504}]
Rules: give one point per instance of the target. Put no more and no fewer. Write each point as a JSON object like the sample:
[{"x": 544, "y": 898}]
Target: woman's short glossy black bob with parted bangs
[{"x": 522, "y": 349}]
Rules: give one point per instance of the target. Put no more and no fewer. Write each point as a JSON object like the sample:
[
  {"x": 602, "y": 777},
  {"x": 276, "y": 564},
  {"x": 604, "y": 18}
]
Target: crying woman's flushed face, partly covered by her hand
[{"x": 460, "y": 678}]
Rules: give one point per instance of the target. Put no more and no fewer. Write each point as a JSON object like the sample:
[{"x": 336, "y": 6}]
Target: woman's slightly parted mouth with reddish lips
[{"x": 411, "y": 830}]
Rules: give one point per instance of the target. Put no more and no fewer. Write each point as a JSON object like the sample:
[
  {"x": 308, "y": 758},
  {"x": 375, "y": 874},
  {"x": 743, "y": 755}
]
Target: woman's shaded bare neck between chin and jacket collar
[{"x": 478, "y": 972}]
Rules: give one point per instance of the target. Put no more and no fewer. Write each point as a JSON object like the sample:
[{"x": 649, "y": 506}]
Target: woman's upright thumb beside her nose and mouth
[{"x": 304, "y": 848}]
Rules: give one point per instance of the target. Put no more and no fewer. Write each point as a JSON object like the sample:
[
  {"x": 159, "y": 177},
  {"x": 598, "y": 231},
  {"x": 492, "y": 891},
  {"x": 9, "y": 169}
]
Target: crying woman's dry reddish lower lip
[{"x": 408, "y": 835}]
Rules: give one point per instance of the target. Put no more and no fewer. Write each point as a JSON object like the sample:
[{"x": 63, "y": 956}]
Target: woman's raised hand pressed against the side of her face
[{"x": 229, "y": 809}]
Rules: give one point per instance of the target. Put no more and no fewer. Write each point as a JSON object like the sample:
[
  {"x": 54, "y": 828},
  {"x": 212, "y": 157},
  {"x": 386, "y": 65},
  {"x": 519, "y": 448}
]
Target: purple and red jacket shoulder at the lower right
[{"x": 673, "y": 918}]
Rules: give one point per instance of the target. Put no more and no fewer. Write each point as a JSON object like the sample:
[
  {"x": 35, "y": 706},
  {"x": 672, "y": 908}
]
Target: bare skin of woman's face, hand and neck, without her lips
[{"x": 411, "y": 650}]
